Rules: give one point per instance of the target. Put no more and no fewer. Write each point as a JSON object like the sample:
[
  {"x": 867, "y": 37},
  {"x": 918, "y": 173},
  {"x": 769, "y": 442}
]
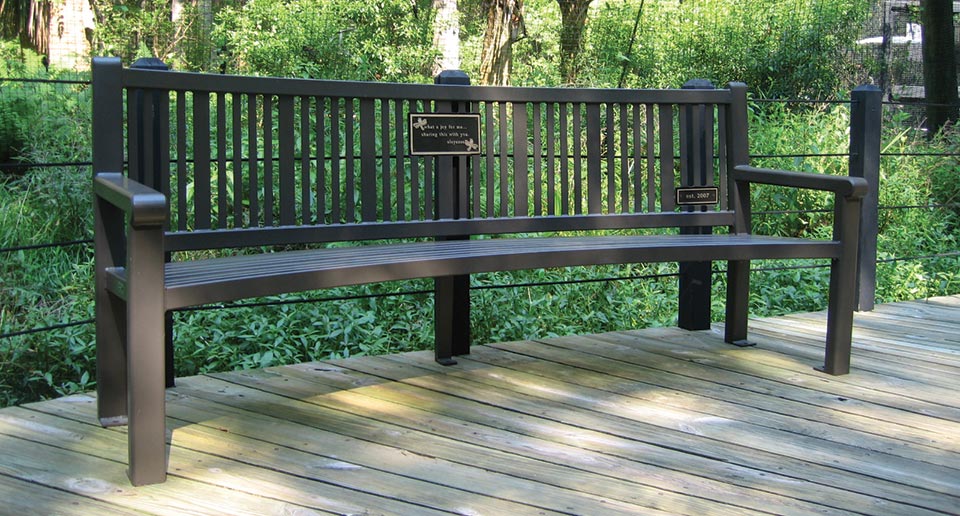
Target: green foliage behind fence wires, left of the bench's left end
[{"x": 43, "y": 123}]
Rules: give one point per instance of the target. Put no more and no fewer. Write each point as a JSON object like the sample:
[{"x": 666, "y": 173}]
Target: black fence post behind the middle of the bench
[{"x": 451, "y": 293}]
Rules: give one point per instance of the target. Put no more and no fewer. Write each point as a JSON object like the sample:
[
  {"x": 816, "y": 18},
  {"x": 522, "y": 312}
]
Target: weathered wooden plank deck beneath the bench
[{"x": 658, "y": 421}]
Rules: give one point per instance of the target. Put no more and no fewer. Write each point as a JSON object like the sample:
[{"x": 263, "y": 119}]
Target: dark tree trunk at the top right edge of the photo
[{"x": 939, "y": 63}]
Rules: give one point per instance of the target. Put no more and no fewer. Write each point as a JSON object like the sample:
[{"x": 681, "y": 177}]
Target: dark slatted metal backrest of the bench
[{"x": 261, "y": 161}]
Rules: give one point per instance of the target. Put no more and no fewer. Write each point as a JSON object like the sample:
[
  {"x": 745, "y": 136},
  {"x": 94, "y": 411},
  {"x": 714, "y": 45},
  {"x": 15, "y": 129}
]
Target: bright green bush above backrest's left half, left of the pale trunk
[{"x": 387, "y": 40}]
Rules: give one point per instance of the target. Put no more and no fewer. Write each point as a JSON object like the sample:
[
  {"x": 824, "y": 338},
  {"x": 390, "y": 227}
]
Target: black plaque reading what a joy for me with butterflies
[{"x": 444, "y": 134}]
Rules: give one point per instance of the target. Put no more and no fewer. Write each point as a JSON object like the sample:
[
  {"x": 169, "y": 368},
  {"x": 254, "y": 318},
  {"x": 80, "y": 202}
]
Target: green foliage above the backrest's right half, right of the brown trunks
[{"x": 781, "y": 48}]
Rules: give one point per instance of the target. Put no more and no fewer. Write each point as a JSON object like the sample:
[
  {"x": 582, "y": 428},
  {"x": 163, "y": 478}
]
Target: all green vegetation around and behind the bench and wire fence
[{"x": 783, "y": 49}]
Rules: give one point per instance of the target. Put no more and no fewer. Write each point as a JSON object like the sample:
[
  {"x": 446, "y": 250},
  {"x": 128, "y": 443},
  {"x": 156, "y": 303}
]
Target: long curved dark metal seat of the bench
[{"x": 230, "y": 278}]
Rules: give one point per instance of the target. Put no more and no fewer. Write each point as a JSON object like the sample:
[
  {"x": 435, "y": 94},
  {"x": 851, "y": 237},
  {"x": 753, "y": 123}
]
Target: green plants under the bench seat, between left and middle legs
[{"x": 285, "y": 329}]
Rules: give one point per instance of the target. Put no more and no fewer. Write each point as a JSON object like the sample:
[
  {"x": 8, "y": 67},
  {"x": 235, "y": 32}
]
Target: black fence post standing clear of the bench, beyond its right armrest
[{"x": 865, "y": 121}]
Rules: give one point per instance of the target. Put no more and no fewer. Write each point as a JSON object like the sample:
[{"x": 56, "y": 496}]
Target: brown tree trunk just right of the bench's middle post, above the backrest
[{"x": 504, "y": 27}]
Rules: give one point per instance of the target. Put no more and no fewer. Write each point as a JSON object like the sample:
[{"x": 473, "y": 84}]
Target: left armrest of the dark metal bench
[{"x": 144, "y": 206}]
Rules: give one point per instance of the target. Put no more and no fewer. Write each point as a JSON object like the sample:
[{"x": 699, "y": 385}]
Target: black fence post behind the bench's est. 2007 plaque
[{"x": 696, "y": 142}]
